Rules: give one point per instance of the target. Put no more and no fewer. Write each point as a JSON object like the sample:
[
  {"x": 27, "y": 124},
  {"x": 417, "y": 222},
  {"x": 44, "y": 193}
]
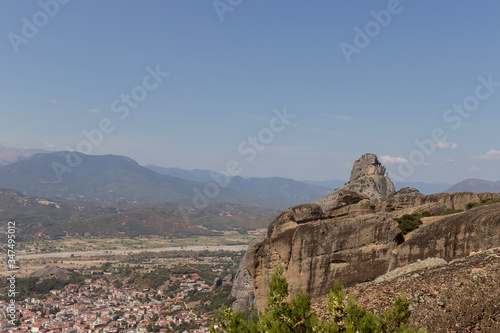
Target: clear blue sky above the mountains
[{"x": 227, "y": 76}]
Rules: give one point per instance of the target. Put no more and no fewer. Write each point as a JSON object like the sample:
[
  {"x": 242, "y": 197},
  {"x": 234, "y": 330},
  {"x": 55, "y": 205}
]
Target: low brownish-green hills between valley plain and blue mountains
[{"x": 40, "y": 217}]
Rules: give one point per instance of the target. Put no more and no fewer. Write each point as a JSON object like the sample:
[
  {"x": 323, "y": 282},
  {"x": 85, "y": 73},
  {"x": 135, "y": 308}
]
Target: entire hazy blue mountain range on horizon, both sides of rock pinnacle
[{"x": 106, "y": 179}]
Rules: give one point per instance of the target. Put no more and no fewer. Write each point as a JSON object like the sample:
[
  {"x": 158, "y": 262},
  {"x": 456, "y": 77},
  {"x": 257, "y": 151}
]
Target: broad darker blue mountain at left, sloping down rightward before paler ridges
[{"x": 110, "y": 178}]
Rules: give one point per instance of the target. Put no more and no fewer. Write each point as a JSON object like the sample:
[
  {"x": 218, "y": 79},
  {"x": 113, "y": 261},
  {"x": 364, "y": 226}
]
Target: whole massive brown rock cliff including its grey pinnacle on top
[{"x": 351, "y": 236}]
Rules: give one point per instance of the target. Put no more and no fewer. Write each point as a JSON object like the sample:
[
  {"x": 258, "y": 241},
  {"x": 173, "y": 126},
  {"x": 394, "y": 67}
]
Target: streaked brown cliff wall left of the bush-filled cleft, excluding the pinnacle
[{"x": 315, "y": 253}]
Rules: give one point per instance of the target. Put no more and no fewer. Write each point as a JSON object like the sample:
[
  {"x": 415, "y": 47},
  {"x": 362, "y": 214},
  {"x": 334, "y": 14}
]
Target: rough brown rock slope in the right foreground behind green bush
[{"x": 459, "y": 296}]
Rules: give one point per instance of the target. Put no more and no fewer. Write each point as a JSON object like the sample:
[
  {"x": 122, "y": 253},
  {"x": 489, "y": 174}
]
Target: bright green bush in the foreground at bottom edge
[{"x": 282, "y": 316}]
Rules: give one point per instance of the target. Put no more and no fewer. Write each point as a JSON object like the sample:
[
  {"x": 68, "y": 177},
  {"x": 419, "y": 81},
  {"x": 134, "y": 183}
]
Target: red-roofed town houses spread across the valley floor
[{"x": 99, "y": 306}]
